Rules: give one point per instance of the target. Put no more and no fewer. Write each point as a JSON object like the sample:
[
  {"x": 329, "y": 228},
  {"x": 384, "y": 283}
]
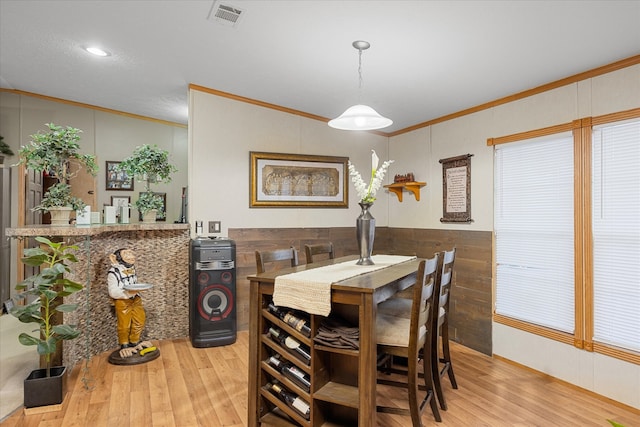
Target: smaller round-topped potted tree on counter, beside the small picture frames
[{"x": 149, "y": 164}]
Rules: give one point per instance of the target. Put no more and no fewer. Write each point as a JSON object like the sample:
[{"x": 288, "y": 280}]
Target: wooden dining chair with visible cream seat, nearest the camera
[{"x": 410, "y": 338}]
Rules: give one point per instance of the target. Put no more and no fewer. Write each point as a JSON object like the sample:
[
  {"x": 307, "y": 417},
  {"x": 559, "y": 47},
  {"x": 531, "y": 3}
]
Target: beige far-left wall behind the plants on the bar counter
[{"x": 108, "y": 136}]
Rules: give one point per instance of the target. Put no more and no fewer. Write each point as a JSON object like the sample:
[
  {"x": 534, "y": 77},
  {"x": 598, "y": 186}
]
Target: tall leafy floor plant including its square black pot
[{"x": 45, "y": 386}]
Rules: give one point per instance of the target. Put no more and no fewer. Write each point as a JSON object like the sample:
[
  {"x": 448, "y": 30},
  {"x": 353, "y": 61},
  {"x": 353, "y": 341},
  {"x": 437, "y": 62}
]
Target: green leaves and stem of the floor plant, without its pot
[{"x": 49, "y": 287}]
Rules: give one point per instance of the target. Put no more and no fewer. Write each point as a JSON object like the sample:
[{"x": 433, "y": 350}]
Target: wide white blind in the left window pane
[{"x": 533, "y": 225}]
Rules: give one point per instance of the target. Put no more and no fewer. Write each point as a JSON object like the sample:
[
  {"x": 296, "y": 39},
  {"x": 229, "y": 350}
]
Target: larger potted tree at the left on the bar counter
[{"x": 52, "y": 152}]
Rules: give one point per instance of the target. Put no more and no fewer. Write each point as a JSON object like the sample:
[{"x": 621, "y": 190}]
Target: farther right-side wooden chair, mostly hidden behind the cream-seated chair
[{"x": 442, "y": 362}]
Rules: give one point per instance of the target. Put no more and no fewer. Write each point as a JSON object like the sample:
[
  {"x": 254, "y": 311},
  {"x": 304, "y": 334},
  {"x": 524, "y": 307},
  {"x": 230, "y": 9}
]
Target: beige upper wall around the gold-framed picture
[{"x": 222, "y": 132}]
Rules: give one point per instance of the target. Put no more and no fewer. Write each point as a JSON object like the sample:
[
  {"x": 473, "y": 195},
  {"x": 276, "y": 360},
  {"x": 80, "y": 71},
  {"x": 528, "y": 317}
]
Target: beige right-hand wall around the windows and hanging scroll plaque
[{"x": 613, "y": 92}]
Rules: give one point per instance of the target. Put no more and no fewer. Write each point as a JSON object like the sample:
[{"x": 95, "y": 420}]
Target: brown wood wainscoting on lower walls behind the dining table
[{"x": 470, "y": 320}]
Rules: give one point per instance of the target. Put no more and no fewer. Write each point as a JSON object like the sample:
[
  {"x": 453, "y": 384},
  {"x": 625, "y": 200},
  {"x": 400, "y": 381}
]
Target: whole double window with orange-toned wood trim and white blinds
[{"x": 567, "y": 233}]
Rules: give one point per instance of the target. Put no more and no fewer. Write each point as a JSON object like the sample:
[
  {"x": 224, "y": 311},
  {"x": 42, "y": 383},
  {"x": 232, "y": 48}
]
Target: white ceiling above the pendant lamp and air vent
[{"x": 427, "y": 58}]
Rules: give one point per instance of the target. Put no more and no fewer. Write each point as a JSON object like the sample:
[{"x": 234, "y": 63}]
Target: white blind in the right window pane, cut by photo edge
[{"x": 616, "y": 234}]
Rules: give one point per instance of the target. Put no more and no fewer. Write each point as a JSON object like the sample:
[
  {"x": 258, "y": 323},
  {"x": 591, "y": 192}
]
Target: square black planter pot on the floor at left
[{"x": 40, "y": 390}]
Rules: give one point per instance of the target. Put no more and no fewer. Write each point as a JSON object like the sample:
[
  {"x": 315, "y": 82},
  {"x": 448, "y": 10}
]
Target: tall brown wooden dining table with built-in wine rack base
[{"x": 343, "y": 381}]
